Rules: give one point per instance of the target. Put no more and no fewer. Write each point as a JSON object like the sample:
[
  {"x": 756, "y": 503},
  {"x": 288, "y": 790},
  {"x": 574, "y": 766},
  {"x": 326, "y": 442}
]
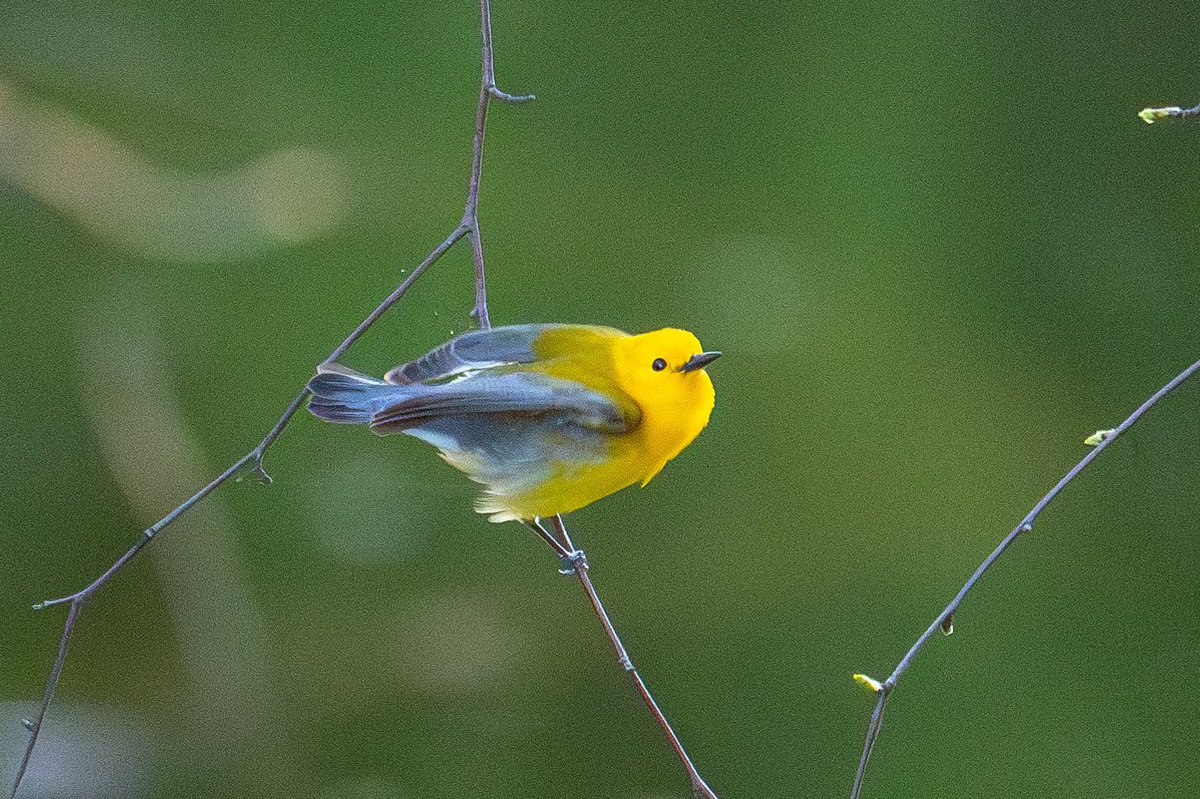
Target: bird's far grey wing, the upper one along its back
[{"x": 478, "y": 350}]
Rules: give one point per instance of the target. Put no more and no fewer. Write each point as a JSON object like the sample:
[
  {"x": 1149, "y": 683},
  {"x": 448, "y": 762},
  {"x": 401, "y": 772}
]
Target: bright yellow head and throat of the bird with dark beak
[{"x": 664, "y": 374}]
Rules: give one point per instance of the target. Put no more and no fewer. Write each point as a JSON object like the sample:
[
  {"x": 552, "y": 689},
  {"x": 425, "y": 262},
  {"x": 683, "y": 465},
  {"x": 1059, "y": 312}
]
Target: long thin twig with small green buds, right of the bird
[{"x": 946, "y": 618}]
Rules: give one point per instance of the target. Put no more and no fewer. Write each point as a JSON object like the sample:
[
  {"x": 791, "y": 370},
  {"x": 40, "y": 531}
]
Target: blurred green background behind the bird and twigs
[{"x": 935, "y": 243}]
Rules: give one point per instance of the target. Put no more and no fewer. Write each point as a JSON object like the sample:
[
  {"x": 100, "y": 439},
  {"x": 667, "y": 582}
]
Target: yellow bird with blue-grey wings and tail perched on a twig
[{"x": 548, "y": 418}]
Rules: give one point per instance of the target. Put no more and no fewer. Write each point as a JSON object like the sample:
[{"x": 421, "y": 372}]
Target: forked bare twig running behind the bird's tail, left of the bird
[{"x": 254, "y": 460}]
